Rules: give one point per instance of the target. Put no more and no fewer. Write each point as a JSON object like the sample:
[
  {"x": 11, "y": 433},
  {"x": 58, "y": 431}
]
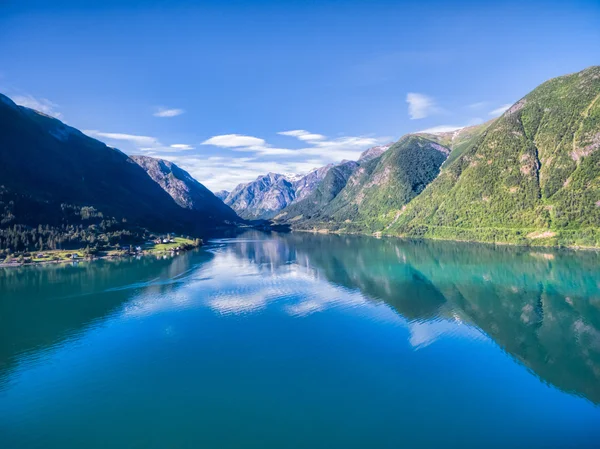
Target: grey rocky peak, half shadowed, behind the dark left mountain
[{"x": 185, "y": 190}]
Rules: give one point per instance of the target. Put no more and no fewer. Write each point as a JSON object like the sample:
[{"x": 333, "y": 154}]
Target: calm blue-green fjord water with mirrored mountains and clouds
[{"x": 300, "y": 340}]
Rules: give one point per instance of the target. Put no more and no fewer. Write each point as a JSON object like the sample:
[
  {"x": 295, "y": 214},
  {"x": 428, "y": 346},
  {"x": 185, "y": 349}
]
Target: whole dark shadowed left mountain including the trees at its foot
[{"x": 54, "y": 175}]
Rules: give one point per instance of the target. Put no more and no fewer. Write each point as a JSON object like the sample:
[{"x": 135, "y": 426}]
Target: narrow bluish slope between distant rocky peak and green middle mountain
[{"x": 326, "y": 191}]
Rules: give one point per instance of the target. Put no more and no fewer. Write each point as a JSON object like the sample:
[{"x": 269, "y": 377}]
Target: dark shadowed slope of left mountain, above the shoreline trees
[{"x": 42, "y": 157}]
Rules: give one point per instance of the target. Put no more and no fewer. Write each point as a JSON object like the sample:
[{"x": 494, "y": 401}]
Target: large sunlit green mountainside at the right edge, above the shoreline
[{"x": 532, "y": 177}]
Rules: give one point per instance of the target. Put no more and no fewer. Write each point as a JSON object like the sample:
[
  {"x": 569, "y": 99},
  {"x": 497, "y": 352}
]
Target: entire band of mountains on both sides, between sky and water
[{"x": 531, "y": 176}]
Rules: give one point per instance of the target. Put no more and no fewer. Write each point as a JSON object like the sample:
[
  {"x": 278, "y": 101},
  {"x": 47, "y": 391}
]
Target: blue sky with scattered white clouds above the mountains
[{"x": 230, "y": 90}]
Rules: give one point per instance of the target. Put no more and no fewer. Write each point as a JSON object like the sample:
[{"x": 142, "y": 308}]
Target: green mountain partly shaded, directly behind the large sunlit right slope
[{"x": 378, "y": 189}]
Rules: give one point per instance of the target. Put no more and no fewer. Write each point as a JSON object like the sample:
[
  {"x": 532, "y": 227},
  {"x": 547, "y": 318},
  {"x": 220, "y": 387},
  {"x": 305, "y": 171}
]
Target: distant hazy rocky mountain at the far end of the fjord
[{"x": 261, "y": 198}]
